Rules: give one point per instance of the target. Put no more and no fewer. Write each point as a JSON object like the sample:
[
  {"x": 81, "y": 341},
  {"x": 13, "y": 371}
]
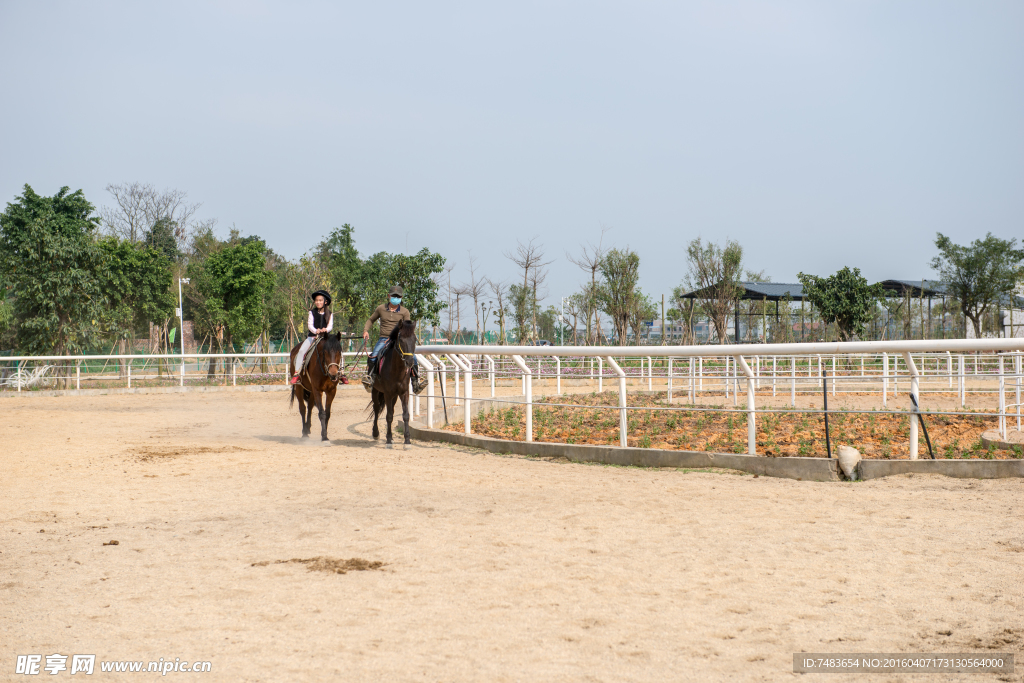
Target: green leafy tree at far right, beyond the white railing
[{"x": 980, "y": 275}]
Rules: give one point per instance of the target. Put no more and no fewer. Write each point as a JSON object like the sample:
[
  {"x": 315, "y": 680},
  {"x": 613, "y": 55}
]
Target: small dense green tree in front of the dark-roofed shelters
[{"x": 845, "y": 300}]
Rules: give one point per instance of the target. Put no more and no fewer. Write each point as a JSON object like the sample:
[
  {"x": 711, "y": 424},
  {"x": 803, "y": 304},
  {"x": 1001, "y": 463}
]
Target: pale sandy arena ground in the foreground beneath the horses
[{"x": 497, "y": 569}]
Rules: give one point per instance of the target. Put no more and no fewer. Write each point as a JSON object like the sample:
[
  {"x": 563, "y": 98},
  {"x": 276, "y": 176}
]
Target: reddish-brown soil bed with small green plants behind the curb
[{"x": 690, "y": 429}]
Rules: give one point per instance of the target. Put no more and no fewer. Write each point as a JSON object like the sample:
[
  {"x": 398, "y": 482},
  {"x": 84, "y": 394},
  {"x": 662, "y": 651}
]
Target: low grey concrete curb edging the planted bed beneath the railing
[{"x": 802, "y": 469}]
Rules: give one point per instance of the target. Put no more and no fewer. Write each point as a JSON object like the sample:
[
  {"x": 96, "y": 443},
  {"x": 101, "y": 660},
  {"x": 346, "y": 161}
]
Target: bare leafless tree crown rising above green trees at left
[{"x": 140, "y": 206}]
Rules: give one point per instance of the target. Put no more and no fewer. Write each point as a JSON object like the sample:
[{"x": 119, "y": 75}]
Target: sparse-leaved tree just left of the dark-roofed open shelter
[{"x": 713, "y": 276}]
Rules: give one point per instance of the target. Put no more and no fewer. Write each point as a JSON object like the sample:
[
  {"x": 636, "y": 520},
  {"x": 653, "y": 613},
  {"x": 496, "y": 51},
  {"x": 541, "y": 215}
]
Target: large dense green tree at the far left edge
[{"x": 50, "y": 263}]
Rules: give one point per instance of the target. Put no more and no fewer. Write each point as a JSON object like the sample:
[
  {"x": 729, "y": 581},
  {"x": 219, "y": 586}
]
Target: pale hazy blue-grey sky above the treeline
[{"x": 818, "y": 135}]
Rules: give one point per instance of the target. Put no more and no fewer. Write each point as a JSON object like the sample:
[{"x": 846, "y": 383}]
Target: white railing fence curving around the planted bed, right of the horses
[{"x": 960, "y": 367}]
